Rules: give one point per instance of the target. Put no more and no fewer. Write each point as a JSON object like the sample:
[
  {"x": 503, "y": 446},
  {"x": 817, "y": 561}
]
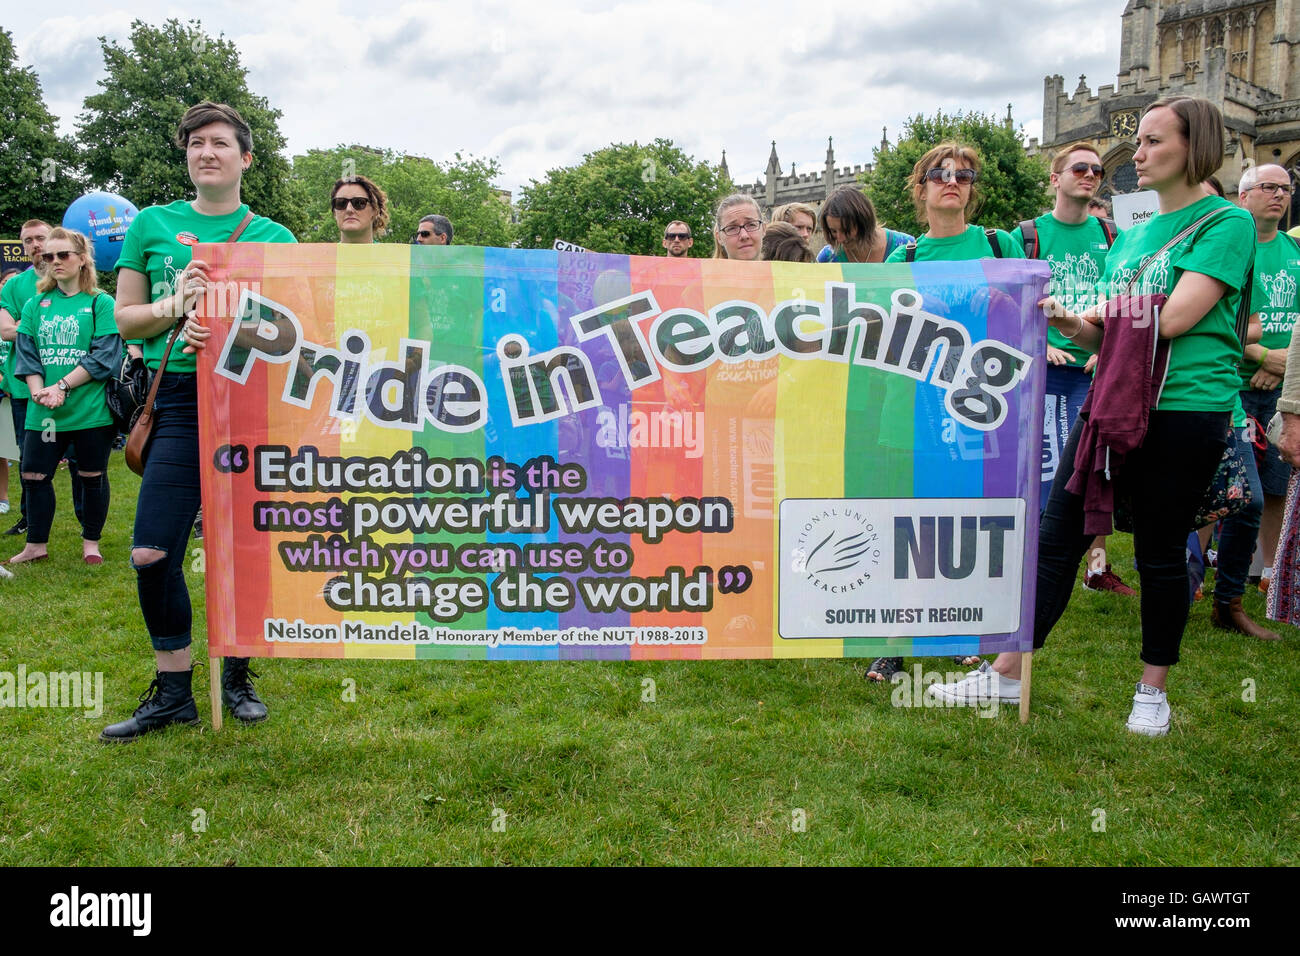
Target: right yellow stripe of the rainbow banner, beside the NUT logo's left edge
[{"x": 809, "y": 432}]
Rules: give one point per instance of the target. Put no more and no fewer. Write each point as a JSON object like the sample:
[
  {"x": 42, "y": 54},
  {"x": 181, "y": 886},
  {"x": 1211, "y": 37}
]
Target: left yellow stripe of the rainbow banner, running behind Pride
[{"x": 372, "y": 295}]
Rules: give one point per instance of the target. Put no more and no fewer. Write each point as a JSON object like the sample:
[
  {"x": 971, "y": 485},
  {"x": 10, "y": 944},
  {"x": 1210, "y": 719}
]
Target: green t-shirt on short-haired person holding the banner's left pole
[{"x": 159, "y": 245}]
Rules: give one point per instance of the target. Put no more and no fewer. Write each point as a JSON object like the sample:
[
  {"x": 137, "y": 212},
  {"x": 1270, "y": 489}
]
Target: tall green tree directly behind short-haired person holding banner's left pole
[{"x": 128, "y": 131}]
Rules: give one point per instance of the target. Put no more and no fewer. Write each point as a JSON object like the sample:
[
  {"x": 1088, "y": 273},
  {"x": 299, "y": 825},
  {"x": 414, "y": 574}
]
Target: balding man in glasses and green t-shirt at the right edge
[{"x": 1266, "y": 193}]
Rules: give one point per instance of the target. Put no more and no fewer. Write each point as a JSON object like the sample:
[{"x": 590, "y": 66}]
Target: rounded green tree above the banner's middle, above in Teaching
[{"x": 619, "y": 200}]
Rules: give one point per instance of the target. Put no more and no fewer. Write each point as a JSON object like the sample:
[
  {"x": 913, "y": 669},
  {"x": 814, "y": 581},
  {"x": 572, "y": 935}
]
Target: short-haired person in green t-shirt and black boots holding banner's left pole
[{"x": 159, "y": 285}]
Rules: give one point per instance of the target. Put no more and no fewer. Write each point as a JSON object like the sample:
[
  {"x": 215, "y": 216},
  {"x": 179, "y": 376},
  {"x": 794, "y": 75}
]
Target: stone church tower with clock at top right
[{"x": 1242, "y": 55}]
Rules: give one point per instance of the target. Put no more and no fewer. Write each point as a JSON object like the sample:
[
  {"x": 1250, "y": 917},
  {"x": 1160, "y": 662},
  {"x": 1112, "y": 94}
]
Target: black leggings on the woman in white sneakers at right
[{"x": 1167, "y": 478}]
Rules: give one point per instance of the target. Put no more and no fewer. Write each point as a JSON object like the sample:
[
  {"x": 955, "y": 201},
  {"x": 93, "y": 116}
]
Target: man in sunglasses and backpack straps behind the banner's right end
[{"x": 1074, "y": 244}]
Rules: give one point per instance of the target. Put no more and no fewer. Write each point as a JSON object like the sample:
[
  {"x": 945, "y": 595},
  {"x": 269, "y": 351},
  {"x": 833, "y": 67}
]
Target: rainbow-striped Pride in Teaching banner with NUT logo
[{"x": 480, "y": 453}]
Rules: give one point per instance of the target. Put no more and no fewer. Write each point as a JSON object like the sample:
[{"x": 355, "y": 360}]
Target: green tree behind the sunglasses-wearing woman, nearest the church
[{"x": 1013, "y": 185}]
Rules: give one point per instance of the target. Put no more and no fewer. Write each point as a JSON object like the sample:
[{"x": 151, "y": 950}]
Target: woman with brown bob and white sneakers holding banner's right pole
[{"x": 1198, "y": 252}]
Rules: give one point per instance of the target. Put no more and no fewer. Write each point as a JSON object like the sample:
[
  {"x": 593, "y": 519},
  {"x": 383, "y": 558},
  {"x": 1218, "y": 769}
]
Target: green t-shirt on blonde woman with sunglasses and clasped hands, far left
[{"x": 63, "y": 328}]
